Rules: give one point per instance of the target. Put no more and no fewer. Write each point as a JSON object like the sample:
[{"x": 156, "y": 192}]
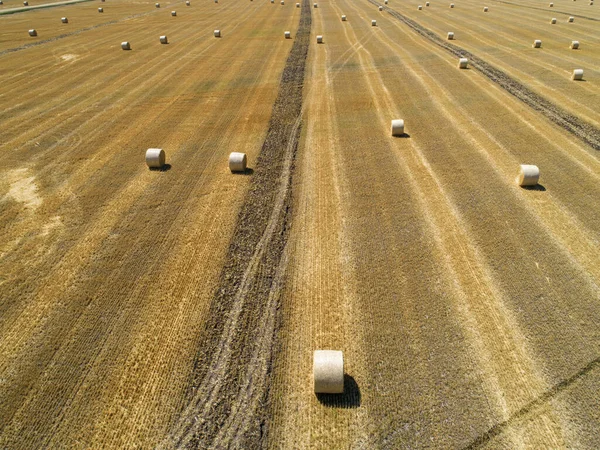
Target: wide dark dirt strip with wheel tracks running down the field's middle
[{"x": 230, "y": 385}]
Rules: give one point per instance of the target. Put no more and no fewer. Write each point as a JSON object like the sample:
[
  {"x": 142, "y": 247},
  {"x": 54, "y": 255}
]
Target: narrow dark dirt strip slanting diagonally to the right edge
[{"x": 584, "y": 131}]
